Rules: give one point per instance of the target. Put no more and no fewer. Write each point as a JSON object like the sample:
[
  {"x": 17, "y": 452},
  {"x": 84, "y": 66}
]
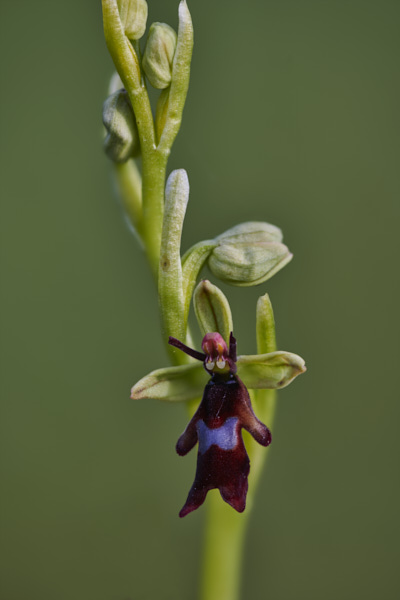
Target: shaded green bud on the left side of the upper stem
[{"x": 122, "y": 139}]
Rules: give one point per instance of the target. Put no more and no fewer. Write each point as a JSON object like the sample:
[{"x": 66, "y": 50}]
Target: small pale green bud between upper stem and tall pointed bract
[{"x": 159, "y": 54}]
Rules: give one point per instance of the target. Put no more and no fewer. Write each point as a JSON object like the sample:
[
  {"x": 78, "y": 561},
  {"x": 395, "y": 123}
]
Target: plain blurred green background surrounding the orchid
[{"x": 293, "y": 118}]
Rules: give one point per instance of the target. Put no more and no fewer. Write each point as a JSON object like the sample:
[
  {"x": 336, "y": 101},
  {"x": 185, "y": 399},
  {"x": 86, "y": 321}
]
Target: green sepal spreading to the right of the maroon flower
[{"x": 269, "y": 371}]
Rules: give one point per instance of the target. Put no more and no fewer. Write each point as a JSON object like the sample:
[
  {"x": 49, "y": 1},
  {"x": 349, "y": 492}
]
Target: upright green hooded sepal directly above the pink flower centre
[{"x": 212, "y": 310}]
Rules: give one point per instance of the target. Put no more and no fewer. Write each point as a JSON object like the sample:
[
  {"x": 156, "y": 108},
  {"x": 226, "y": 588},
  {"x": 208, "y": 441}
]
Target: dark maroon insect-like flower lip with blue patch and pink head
[{"x": 225, "y": 409}]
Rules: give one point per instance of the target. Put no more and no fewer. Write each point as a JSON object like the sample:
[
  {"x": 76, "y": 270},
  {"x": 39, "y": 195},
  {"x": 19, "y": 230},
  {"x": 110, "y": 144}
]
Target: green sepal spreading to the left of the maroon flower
[{"x": 172, "y": 384}]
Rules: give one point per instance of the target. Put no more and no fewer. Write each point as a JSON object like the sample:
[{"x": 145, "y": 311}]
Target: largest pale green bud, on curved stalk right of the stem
[{"x": 249, "y": 254}]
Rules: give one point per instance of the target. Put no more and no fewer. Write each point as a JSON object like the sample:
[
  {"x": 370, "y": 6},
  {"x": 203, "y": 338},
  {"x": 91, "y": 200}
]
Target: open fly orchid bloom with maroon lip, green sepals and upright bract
[{"x": 222, "y": 379}]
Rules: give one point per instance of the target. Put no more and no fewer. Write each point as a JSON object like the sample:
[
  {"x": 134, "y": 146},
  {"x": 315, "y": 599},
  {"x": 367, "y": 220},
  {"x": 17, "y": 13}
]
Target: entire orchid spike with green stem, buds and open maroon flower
[{"x": 214, "y": 383}]
